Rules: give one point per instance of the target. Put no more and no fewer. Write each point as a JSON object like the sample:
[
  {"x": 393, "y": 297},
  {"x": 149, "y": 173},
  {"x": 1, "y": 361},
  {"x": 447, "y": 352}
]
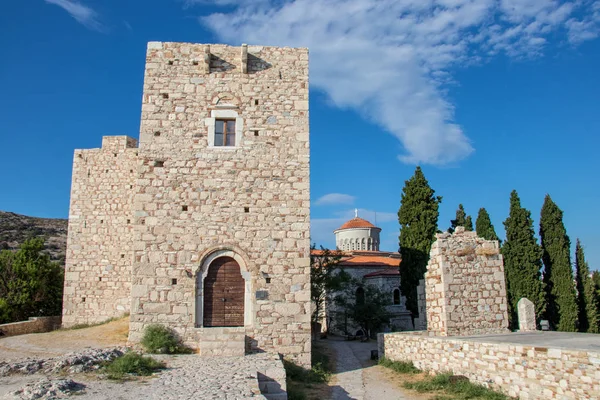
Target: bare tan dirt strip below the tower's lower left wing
[{"x": 60, "y": 342}]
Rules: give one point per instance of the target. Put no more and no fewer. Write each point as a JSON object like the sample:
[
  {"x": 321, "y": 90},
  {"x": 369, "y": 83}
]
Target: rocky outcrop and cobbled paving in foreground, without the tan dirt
[{"x": 186, "y": 377}]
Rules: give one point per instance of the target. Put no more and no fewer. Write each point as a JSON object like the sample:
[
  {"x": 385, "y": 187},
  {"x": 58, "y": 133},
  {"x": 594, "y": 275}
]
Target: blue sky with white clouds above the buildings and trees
[{"x": 486, "y": 95}]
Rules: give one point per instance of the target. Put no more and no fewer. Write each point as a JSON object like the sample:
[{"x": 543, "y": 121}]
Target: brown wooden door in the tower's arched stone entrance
[{"x": 224, "y": 294}]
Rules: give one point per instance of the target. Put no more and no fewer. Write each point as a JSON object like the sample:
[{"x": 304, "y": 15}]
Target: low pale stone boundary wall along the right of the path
[{"x": 526, "y": 372}]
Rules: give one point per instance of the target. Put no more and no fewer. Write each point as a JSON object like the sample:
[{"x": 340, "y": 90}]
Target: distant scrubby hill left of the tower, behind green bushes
[{"x": 15, "y": 229}]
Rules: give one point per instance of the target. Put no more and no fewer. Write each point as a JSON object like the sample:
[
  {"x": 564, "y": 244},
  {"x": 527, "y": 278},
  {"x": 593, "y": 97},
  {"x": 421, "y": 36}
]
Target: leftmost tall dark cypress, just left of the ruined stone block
[{"x": 418, "y": 216}]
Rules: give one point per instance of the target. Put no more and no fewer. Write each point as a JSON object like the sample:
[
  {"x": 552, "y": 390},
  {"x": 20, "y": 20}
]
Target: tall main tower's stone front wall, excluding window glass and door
[{"x": 194, "y": 200}]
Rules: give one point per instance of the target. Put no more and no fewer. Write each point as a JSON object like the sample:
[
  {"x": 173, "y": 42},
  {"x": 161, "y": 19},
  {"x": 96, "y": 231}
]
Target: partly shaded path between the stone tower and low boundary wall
[{"x": 358, "y": 378}]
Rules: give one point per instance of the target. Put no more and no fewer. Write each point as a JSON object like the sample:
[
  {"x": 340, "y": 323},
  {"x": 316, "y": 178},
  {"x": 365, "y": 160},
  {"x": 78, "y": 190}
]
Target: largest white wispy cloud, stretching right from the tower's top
[{"x": 389, "y": 59}]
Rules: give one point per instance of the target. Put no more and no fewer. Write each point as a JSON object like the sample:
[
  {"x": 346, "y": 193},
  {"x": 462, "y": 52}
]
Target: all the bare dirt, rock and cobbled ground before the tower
[{"x": 60, "y": 364}]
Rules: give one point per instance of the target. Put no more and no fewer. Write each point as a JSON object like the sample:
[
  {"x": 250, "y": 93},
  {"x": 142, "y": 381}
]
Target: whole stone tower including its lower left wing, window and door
[{"x": 205, "y": 226}]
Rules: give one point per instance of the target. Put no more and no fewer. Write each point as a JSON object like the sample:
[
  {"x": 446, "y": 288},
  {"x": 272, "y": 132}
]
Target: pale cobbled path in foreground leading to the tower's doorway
[{"x": 186, "y": 377}]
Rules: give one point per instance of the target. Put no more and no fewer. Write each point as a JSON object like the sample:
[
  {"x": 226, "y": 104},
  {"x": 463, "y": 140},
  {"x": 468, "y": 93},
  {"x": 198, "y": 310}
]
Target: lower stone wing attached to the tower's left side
[{"x": 99, "y": 241}]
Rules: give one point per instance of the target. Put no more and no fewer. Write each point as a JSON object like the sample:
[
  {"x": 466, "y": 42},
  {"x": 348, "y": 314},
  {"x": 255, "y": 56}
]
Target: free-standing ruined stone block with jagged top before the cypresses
[{"x": 464, "y": 286}]
